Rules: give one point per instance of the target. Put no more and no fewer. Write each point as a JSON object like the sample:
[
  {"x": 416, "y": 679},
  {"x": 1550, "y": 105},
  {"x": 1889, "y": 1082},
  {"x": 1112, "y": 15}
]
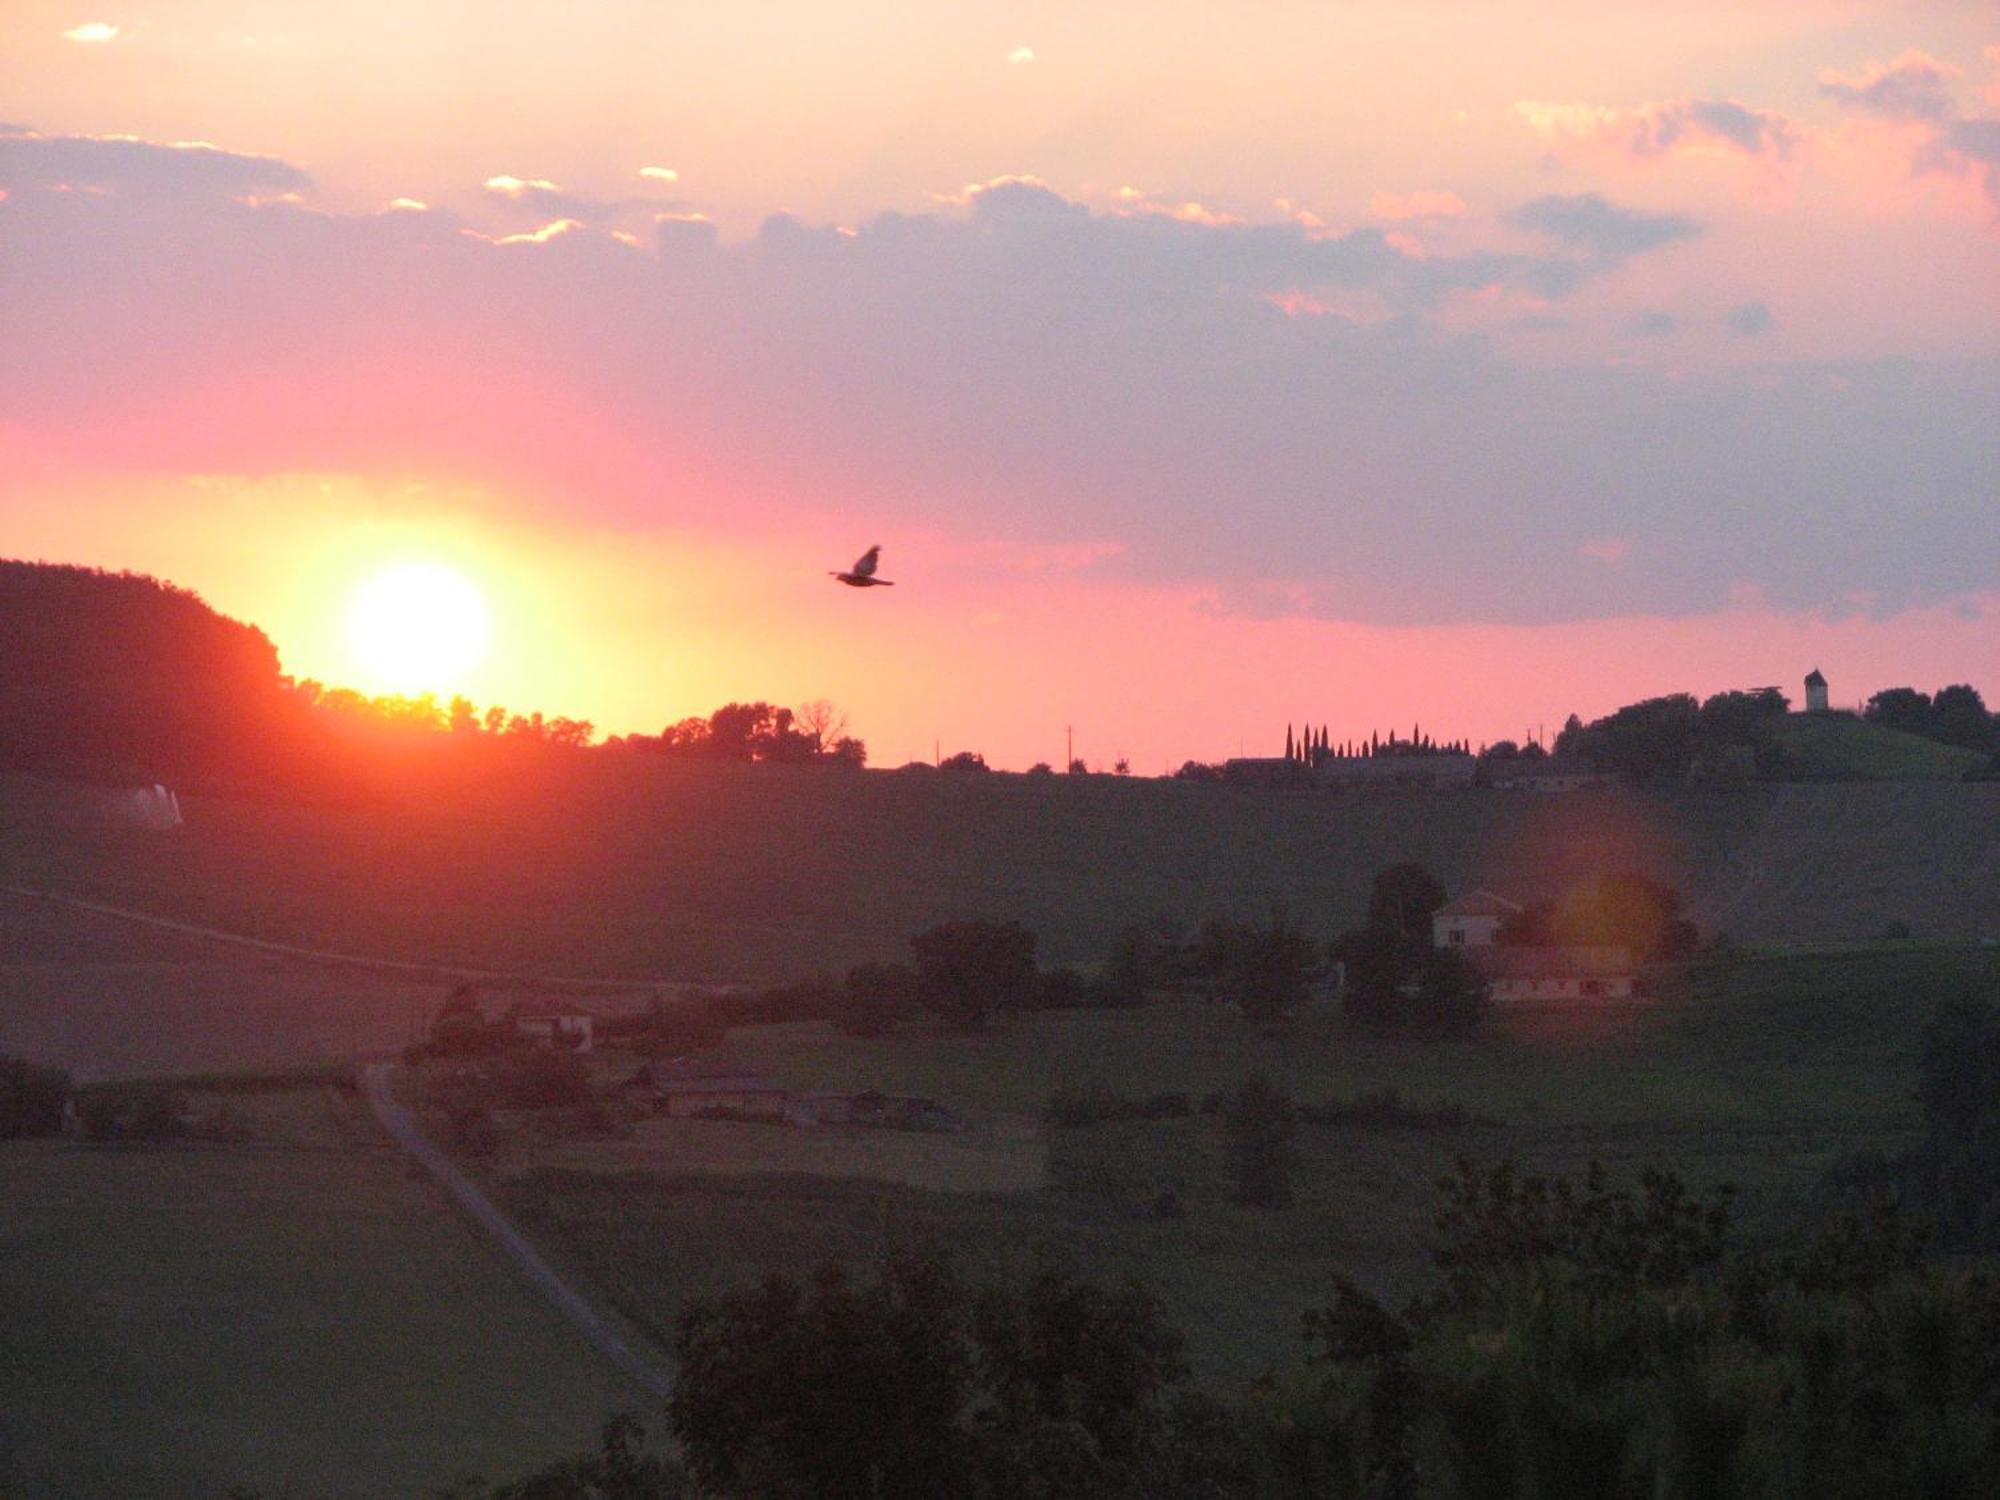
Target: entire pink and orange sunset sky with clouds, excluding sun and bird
[{"x": 1197, "y": 367}]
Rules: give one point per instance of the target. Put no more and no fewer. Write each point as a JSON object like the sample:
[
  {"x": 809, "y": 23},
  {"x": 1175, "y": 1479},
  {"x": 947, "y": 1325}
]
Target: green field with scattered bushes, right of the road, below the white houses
[{"x": 1761, "y": 1075}]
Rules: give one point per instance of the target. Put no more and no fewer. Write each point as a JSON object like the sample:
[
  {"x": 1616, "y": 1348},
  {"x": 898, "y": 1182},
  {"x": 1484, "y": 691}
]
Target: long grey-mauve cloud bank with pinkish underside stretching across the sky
[{"x": 1011, "y": 367}]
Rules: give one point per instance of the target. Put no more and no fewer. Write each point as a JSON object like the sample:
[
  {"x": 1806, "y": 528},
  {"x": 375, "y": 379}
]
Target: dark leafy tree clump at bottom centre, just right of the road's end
[{"x": 913, "y": 1385}]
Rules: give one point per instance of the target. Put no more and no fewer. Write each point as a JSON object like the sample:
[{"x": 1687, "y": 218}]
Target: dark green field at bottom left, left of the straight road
[{"x": 289, "y": 1313}]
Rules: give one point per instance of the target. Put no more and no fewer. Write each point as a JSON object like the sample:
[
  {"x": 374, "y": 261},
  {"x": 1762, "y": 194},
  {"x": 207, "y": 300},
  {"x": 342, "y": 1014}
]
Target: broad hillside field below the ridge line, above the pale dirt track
[{"x": 625, "y": 867}]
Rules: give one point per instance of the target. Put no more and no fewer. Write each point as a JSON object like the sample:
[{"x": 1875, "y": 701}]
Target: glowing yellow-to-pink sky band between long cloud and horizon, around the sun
[{"x": 977, "y": 649}]
